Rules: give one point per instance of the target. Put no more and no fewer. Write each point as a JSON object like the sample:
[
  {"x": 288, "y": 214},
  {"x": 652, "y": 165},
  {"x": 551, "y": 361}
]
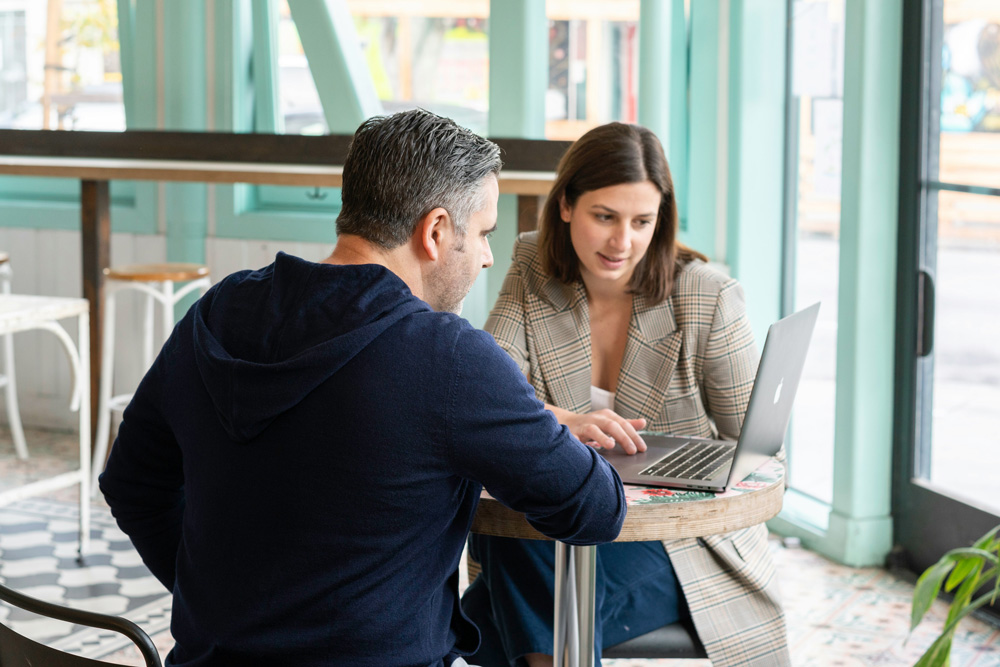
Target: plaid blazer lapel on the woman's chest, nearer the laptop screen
[{"x": 651, "y": 354}]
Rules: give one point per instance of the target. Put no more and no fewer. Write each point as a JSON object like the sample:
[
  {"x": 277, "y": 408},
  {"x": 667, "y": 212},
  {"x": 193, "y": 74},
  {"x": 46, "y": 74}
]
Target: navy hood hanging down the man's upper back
[{"x": 263, "y": 340}]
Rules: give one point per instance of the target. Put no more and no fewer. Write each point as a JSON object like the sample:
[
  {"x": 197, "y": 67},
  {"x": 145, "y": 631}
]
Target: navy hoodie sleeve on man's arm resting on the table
[{"x": 500, "y": 435}]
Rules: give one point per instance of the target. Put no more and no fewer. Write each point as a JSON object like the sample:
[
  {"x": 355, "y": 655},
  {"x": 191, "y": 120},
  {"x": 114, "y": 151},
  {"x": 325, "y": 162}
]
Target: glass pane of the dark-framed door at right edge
[{"x": 962, "y": 254}]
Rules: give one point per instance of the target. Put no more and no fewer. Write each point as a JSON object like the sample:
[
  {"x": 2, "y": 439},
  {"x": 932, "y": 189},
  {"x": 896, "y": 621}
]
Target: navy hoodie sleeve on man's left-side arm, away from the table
[{"x": 143, "y": 481}]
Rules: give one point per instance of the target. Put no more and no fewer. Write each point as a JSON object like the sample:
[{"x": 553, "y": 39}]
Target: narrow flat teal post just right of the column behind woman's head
[{"x": 703, "y": 187}]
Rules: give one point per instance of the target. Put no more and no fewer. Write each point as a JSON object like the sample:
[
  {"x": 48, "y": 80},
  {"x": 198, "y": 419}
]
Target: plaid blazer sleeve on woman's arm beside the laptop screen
[{"x": 730, "y": 362}]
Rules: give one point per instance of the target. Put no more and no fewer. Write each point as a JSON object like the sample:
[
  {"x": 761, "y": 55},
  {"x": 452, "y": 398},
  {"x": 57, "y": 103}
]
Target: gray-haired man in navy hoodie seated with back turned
[{"x": 301, "y": 464}]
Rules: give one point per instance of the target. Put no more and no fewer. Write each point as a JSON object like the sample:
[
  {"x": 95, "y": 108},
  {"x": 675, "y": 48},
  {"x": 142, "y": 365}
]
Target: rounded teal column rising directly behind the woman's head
[{"x": 663, "y": 85}]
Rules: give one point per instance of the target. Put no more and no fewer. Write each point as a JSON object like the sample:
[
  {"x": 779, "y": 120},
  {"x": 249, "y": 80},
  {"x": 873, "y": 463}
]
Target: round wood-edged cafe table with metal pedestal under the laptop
[{"x": 653, "y": 514}]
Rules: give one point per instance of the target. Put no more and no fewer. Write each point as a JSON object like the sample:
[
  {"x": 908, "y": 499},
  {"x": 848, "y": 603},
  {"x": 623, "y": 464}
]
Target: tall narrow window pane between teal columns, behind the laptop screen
[{"x": 814, "y": 138}]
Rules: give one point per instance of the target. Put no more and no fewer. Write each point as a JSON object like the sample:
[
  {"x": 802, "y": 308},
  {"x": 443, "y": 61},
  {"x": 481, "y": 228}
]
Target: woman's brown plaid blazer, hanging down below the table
[{"x": 688, "y": 368}]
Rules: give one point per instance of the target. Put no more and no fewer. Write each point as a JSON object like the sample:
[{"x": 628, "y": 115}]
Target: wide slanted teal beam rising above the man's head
[{"x": 343, "y": 82}]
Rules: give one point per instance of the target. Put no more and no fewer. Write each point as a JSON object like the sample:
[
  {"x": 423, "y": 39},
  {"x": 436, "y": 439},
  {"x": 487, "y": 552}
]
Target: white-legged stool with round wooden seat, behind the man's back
[{"x": 157, "y": 282}]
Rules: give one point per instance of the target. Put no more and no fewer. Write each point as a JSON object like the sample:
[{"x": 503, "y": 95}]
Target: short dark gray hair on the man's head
[{"x": 403, "y": 166}]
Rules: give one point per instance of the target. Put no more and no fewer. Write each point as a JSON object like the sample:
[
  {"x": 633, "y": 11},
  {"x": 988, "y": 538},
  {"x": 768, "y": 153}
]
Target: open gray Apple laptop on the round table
[{"x": 711, "y": 465}]
